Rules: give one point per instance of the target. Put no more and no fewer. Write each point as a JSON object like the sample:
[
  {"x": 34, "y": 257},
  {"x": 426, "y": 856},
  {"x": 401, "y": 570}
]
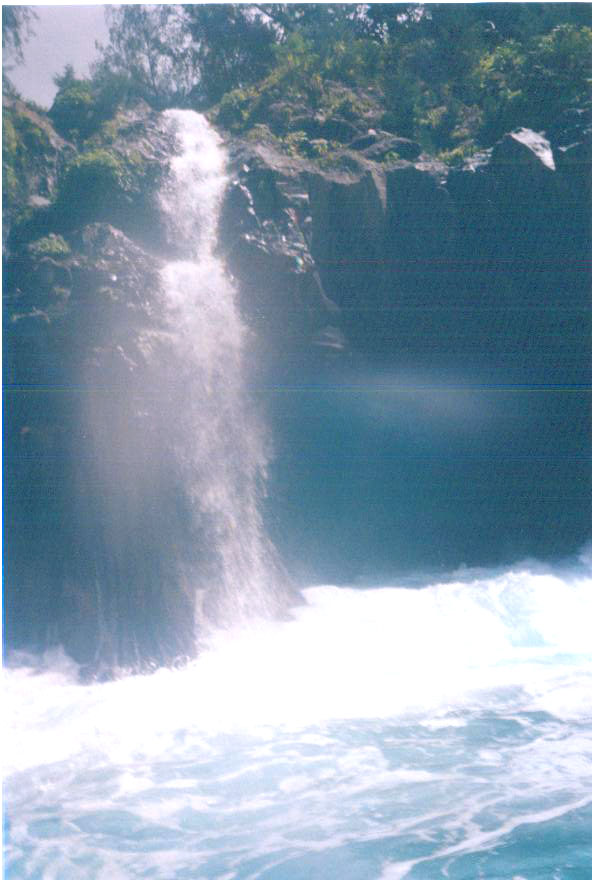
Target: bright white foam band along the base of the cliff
[{"x": 347, "y": 654}]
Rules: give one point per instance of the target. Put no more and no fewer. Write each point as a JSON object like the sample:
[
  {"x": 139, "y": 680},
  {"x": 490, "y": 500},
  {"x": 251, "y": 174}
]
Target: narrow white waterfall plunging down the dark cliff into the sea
[{"x": 219, "y": 441}]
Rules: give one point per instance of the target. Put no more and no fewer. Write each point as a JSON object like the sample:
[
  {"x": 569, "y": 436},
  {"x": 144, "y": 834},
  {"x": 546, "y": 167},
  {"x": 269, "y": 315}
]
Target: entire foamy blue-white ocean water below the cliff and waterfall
[{"x": 377, "y": 734}]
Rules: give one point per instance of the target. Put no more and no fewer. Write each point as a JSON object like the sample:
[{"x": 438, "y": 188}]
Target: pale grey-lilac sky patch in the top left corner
[{"x": 63, "y": 35}]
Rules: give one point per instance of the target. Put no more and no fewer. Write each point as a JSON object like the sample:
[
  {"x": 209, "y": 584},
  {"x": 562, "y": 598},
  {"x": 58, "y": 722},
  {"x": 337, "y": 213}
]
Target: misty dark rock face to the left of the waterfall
[{"x": 85, "y": 455}]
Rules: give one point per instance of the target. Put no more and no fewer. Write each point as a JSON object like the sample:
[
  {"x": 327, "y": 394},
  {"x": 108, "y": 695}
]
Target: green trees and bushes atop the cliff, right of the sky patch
[{"x": 452, "y": 76}]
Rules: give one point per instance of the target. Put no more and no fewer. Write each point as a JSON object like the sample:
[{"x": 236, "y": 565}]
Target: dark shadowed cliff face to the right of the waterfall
[{"x": 426, "y": 276}]
